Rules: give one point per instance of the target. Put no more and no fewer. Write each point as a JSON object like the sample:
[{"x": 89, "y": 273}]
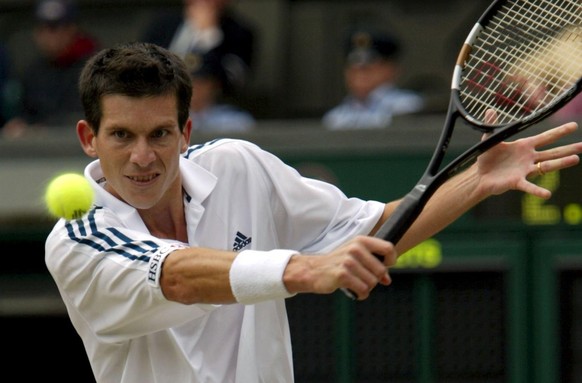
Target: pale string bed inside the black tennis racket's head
[{"x": 525, "y": 58}]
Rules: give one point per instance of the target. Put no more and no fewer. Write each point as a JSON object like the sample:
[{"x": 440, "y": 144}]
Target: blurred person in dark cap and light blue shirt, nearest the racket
[{"x": 370, "y": 74}]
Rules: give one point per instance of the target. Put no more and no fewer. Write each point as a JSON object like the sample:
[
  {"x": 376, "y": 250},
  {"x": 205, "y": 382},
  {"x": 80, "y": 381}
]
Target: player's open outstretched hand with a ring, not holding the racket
[{"x": 508, "y": 165}]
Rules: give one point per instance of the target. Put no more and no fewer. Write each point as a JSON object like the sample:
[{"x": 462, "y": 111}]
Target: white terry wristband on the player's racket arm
[{"x": 257, "y": 276}]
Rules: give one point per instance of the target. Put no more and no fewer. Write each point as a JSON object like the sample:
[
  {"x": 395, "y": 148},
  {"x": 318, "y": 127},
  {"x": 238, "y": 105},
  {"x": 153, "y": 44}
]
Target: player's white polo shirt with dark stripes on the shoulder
[{"x": 237, "y": 197}]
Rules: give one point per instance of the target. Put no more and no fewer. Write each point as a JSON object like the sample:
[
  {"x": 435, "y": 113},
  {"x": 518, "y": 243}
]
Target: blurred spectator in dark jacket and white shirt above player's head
[{"x": 204, "y": 26}]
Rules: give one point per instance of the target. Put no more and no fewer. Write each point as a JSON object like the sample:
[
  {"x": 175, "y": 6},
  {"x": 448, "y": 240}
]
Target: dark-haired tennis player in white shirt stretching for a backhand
[{"x": 180, "y": 271}]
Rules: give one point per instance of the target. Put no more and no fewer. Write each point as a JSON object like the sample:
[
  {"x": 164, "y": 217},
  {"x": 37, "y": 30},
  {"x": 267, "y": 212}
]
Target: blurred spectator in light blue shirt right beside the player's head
[{"x": 208, "y": 110}]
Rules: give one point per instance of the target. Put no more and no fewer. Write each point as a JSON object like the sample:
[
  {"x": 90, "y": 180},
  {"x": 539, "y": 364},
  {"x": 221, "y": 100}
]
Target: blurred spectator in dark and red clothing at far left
[{"x": 50, "y": 96}]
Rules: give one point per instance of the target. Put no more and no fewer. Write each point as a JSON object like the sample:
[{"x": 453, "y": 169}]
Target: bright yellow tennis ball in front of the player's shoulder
[{"x": 69, "y": 196}]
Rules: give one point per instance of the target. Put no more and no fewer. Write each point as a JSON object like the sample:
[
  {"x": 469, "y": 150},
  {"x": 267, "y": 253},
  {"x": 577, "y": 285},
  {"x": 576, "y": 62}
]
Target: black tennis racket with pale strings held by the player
[{"x": 523, "y": 60}]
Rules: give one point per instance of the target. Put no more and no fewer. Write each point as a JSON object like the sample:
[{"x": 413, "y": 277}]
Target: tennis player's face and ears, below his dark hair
[{"x": 139, "y": 144}]
